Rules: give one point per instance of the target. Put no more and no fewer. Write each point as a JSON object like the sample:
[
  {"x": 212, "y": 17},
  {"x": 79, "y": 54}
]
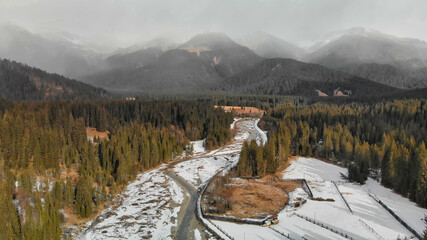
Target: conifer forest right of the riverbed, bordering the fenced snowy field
[{"x": 383, "y": 140}]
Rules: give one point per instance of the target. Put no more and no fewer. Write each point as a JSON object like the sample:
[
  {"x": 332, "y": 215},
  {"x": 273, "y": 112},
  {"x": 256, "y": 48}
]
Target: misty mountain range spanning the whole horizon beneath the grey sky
[{"x": 355, "y": 62}]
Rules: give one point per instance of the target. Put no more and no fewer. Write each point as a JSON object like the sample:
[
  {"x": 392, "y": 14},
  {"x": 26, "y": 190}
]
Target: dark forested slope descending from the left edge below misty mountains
[{"x": 21, "y": 82}]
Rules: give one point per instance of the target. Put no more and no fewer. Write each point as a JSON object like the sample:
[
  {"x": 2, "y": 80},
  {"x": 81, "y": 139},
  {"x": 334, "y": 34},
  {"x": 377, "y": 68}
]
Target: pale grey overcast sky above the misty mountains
[{"x": 124, "y": 22}]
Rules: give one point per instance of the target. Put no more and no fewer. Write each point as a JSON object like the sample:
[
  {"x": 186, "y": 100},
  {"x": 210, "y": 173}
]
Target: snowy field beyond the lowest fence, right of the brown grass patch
[{"x": 320, "y": 174}]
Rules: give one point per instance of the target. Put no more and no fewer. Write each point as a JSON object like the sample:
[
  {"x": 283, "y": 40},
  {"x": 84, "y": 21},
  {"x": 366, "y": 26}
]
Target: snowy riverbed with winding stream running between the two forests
[{"x": 160, "y": 203}]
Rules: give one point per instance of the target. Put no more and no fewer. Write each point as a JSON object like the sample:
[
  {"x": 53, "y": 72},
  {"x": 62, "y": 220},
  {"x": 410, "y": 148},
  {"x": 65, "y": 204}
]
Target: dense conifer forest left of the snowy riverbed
[{"x": 48, "y": 166}]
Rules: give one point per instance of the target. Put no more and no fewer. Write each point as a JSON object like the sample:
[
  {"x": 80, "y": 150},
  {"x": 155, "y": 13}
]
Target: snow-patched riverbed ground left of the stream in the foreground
[{"x": 148, "y": 210}]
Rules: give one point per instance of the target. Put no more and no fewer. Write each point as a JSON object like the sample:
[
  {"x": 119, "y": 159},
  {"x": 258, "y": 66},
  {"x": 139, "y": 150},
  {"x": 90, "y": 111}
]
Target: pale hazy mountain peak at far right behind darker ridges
[{"x": 360, "y": 45}]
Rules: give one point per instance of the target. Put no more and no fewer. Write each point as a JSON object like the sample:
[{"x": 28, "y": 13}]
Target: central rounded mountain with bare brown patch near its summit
[{"x": 204, "y": 60}]
